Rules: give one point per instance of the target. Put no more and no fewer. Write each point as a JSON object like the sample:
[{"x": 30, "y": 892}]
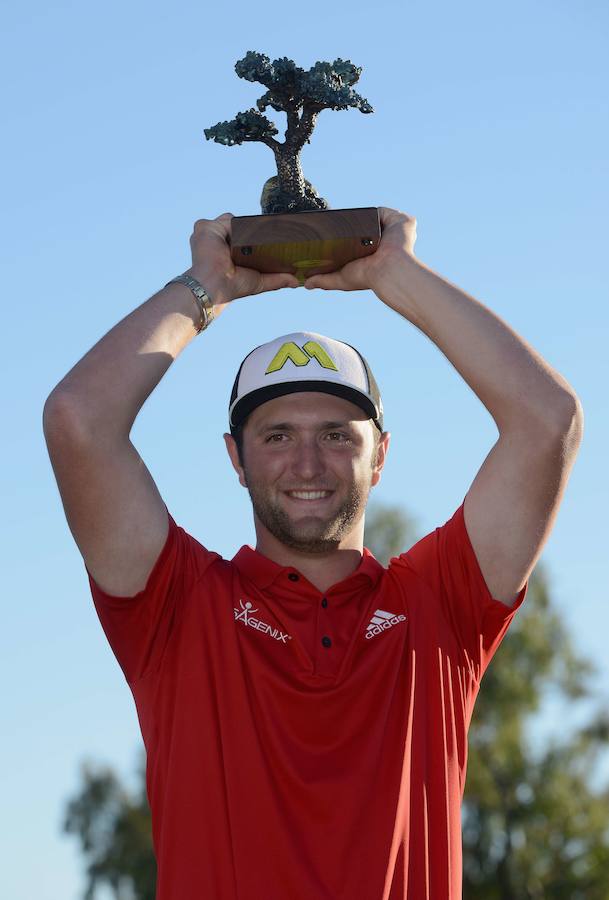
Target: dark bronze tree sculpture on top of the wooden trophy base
[{"x": 302, "y": 96}]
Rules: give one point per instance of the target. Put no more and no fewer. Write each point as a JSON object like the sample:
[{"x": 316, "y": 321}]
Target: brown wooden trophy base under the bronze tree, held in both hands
[{"x": 305, "y": 243}]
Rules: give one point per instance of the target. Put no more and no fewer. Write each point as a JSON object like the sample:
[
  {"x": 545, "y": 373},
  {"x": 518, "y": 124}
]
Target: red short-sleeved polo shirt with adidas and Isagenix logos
[{"x": 307, "y": 746}]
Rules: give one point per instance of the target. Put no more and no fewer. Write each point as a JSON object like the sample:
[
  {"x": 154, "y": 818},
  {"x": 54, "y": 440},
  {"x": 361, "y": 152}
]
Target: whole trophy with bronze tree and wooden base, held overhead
[{"x": 297, "y": 232}]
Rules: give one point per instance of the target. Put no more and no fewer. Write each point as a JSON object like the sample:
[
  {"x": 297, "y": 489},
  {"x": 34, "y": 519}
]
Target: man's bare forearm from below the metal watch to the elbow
[{"x": 107, "y": 388}]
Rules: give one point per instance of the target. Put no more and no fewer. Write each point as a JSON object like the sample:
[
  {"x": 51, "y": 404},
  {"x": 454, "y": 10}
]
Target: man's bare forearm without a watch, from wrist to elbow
[{"x": 512, "y": 380}]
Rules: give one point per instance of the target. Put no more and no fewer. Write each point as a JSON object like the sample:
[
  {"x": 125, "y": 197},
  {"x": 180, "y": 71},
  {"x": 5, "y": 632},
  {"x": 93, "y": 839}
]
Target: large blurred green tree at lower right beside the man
[{"x": 533, "y": 826}]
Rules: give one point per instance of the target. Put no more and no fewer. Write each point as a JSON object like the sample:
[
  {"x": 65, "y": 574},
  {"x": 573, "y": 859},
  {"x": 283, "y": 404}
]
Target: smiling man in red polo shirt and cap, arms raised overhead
[{"x": 304, "y": 709}]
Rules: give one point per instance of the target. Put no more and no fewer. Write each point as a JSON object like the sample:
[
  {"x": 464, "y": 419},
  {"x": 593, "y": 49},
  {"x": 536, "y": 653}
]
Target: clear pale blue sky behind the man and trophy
[{"x": 490, "y": 127}]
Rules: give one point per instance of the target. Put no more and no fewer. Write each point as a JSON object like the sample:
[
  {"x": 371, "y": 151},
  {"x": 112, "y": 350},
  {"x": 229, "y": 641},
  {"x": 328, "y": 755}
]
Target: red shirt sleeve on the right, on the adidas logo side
[{"x": 445, "y": 560}]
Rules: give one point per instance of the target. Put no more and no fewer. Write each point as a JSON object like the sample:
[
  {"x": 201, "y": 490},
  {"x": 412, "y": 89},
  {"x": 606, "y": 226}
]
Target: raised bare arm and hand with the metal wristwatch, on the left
[{"x": 113, "y": 507}]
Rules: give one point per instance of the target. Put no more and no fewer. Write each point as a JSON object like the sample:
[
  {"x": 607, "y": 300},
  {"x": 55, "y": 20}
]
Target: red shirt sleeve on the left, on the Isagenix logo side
[{"x": 139, "y": 627}]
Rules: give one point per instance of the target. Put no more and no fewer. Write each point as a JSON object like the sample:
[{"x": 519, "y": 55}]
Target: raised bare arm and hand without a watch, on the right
[{"x": 512, "y": 503}]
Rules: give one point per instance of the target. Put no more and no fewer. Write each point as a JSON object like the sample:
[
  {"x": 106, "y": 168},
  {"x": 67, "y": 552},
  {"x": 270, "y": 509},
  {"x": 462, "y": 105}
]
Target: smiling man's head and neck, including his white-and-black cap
[{"x": 307, "y": 441}]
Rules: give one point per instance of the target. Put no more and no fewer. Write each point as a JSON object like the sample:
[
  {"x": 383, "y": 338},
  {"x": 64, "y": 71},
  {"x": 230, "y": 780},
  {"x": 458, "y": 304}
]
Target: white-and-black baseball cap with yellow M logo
[{"x": 304, "y": 361}]
